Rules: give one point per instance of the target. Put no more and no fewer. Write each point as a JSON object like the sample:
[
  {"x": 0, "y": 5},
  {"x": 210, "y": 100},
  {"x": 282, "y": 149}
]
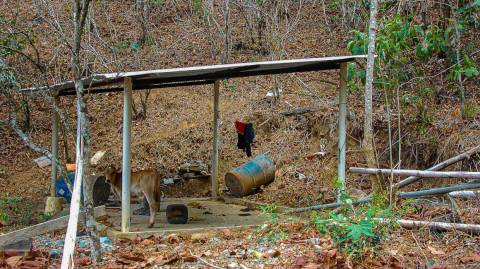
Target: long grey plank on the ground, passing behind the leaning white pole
[{"x": 45, "y": 227}]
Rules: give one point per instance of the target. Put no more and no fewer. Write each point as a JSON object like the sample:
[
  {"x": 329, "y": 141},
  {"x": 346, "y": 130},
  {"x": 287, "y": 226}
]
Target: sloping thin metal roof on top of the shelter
[{"x": 199, "y": 75}]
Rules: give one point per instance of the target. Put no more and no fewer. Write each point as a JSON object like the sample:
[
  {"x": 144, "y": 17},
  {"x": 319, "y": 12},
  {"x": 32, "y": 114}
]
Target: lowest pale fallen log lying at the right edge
[{"x": 440, "y": 226}]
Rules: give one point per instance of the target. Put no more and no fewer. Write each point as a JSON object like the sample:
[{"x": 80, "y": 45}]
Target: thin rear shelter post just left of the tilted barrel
[{"x": 216, "y": 116}]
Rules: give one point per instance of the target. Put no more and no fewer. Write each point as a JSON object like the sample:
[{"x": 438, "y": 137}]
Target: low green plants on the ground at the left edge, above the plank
[{"x": 15, "y": 210}]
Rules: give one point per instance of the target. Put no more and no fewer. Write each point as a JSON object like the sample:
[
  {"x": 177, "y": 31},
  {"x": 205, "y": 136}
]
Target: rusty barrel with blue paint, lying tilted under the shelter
[{"x": 249, "y": 176}]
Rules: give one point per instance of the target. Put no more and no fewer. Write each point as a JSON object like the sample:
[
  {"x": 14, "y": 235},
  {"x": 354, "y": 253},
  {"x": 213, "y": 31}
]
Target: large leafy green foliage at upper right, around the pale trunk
[{"x": 404, "y": 49}]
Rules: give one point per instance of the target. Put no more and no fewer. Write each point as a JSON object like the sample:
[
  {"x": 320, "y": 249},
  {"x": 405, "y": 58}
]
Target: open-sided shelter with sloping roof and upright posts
[{"x": 213, "y": 74}]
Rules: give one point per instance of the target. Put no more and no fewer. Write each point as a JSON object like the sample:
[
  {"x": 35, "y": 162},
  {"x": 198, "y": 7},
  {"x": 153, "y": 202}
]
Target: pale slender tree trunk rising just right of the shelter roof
[{"x": 377, "y": 185}]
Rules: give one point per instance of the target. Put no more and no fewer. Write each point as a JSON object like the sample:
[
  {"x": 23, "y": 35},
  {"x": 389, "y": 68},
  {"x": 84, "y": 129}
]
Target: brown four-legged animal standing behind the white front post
[{"x": 143, "y": 183}]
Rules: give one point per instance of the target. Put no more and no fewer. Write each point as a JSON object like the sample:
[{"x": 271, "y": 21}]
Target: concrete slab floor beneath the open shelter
[{"x": 223, "y": 215}]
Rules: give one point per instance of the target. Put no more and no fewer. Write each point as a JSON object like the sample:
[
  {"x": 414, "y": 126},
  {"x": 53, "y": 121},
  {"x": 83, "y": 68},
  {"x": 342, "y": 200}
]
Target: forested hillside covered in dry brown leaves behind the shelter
[{"x": 426, "y": 95}]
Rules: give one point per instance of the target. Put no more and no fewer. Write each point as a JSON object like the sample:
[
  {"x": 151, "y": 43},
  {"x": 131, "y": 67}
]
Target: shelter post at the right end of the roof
[{"x": 342, "y": 126}]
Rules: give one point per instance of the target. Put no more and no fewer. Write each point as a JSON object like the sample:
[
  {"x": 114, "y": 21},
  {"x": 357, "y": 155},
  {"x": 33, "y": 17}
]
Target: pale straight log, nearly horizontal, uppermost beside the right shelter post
[{"x": 417, "y": 173}]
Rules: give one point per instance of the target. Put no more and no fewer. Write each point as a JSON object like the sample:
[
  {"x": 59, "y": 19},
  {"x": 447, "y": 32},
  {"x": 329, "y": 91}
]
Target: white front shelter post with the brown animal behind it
[{"x": 126, "y": 169}]
